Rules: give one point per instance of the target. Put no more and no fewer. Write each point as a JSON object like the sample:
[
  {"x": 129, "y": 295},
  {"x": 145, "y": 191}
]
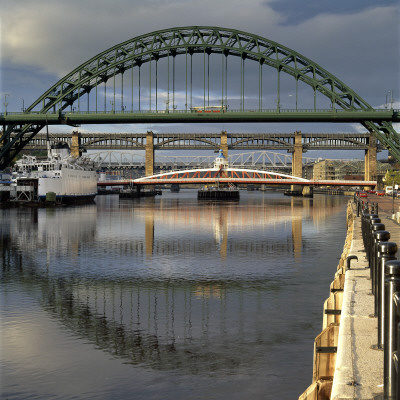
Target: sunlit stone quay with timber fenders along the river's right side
[{"x": 349, "y": 366}]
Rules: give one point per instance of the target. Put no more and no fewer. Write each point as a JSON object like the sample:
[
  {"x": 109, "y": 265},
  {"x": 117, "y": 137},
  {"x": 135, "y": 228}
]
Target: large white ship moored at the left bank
[{"x": 60, "y": 178}]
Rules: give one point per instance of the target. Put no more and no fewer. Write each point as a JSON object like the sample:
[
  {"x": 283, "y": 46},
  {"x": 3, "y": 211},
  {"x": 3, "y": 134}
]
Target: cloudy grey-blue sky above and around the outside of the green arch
[{"x": 358, "y": 41}]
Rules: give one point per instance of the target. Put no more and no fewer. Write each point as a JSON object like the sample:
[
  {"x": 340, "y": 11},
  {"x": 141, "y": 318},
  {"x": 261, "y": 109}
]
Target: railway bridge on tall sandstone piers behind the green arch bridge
[{"x": 295, "y": 143}]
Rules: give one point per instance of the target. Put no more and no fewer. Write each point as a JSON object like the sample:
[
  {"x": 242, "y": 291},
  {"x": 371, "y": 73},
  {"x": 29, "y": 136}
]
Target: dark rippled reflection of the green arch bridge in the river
[{"x": 163, "y": 325}]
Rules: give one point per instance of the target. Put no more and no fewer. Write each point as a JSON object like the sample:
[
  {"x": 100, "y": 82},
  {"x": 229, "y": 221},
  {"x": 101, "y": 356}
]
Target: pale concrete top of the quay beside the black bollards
[{"x": 359, "y": 367}]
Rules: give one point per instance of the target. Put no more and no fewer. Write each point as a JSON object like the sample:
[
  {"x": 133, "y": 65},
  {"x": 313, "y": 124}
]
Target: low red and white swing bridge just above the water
[{"x": 238, "y": 176}]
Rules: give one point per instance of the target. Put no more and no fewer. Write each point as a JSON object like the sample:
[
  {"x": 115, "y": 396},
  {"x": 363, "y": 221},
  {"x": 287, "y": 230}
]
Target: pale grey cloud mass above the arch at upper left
[{"x": 58, "y": 36}]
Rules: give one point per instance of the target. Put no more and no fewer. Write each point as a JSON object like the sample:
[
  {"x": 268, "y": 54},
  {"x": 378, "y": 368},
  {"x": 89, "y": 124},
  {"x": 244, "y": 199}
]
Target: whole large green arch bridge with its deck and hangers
[{"x": 139, "y": 81}]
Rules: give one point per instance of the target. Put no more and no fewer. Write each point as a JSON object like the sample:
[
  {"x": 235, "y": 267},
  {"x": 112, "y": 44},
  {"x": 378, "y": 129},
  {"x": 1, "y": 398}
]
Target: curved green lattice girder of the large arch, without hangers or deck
[{"x": 190, "y": 40}]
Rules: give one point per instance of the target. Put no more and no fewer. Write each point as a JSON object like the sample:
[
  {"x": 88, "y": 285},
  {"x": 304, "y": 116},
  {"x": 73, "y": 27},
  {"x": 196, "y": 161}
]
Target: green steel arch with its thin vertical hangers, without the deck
[{"x": 75, "y": 88}]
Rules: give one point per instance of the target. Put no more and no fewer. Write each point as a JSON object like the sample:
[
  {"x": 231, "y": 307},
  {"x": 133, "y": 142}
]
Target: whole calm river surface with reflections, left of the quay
[{"x": 166, "y": 298}]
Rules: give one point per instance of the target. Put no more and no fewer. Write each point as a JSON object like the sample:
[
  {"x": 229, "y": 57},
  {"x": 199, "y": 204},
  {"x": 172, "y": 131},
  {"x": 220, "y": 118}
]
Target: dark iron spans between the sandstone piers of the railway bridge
[{"x": 209, "y": 141}]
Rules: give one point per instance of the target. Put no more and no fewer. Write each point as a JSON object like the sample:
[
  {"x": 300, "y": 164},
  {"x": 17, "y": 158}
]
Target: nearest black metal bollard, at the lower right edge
[{"x": 392, "y": 285}]
